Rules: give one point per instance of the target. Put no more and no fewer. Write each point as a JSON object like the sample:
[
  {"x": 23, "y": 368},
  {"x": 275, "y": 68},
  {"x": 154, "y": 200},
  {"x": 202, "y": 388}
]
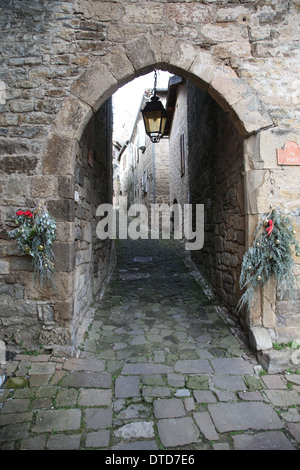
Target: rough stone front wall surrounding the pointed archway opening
[{"x": 61, "y": 61}]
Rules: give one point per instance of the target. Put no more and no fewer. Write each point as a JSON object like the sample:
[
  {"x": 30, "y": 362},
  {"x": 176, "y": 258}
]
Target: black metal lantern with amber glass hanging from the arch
[{"x": 155, "y": 116}]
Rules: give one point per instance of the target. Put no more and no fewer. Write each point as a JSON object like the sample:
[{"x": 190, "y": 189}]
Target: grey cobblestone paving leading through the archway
[{"x": 161, "y": 368}]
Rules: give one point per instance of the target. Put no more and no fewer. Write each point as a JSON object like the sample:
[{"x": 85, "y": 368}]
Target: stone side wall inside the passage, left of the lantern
[{"x": 93, "y": 186}]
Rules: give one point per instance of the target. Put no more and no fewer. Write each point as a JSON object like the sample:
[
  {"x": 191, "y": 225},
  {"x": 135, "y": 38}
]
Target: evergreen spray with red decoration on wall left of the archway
[{"x": 34, "y": 235}]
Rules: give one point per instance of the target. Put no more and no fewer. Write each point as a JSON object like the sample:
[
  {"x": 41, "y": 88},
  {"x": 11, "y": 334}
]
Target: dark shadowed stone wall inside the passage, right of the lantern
[{"x": 216, "y": 180}]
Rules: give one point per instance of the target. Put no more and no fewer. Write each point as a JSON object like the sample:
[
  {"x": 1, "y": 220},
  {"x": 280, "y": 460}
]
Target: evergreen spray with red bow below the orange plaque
[{"x": 271, "y": 255}]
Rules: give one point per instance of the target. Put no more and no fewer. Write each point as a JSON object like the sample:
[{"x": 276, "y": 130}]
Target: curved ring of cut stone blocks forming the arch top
[{"x": 104, "y": 76}]
